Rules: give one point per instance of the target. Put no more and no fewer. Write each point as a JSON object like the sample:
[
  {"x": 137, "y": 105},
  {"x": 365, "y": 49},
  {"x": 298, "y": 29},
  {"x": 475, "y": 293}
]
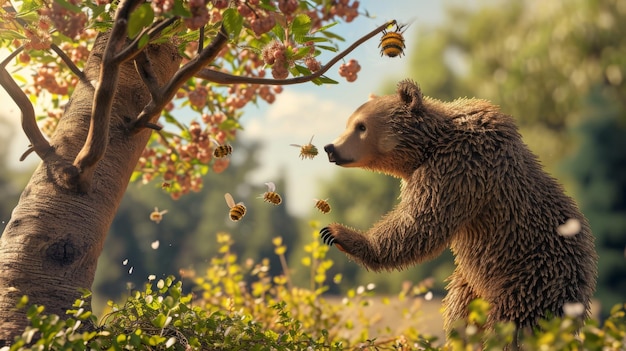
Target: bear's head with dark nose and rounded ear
[{"x": 386, "y": 134}]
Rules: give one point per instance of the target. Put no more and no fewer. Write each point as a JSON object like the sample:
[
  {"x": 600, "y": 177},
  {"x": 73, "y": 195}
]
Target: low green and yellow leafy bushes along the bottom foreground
[{"x": 226, "y": 313}]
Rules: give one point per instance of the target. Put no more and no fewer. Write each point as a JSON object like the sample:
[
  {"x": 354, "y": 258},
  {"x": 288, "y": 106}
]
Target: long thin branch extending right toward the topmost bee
[{"x": 225, "y": 78}]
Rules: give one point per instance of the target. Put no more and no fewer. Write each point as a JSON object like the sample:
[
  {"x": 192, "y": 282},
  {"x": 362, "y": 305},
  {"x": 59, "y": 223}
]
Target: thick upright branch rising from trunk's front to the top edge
[{"x": 95, "y": 146}]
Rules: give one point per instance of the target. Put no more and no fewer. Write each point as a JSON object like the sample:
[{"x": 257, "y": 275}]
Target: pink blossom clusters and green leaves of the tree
[{"x": 52, "y": 41}]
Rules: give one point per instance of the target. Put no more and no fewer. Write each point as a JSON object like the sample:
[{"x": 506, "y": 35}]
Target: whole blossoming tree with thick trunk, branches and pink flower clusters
[{"x": 116, "y": 69}]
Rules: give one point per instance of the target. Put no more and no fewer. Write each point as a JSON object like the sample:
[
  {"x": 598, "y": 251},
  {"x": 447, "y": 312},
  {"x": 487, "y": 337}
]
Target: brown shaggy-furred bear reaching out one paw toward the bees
[{"x": 469, "y": 183}]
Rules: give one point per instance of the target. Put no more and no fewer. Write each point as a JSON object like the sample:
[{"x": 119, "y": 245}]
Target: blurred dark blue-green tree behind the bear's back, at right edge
[{"x": 597, "y": 167}]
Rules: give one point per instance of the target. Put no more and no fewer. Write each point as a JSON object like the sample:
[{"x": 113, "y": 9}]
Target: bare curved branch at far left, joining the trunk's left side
[{"x": 29, "y": 123}]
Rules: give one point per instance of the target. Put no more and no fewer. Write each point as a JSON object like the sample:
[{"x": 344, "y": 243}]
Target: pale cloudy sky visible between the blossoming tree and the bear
[{"x": 306, "y": 110}]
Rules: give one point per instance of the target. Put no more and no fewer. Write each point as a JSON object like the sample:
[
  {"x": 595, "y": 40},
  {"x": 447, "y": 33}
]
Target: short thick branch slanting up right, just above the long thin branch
[{"x": 155, "y": 106}]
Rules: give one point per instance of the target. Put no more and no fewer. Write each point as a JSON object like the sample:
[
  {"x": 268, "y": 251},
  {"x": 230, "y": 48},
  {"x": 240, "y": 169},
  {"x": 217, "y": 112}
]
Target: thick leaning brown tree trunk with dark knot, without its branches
[{"x": 50, "y": 246}]
